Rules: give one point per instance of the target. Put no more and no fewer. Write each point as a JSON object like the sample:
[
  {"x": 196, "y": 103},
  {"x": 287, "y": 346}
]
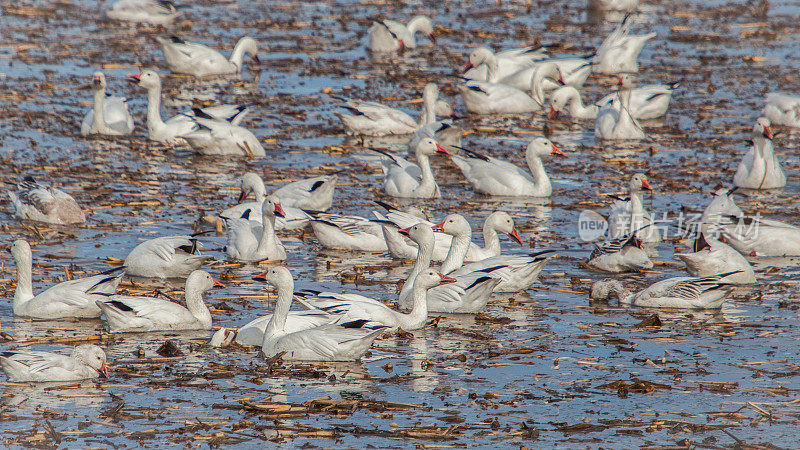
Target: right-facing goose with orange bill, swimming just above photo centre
[{"x": 492, "y": 176}]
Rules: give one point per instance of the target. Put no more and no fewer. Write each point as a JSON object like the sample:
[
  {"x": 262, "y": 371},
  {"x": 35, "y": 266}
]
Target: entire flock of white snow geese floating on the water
[{"x": 333, "y": 326}]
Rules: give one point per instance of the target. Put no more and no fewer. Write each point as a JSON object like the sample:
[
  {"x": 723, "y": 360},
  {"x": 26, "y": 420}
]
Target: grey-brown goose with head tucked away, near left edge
[{"x": 42, "y": 203}]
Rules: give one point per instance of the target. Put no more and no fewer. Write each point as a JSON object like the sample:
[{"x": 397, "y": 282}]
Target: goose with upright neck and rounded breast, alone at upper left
[{"x": 109, "y": 115}]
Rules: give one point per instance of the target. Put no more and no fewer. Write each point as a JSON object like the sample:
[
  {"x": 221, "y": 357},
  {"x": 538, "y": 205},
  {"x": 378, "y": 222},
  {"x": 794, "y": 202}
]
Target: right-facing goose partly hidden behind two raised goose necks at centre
[{"x": 400, "y": 247}]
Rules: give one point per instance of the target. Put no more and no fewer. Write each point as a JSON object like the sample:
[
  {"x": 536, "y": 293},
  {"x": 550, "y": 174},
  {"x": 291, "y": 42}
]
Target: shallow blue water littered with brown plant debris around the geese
[{"x": 535, "y": 379}]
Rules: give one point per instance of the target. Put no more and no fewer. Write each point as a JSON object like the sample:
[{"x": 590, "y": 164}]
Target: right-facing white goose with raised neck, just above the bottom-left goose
[{"x": 124, "y": 313}]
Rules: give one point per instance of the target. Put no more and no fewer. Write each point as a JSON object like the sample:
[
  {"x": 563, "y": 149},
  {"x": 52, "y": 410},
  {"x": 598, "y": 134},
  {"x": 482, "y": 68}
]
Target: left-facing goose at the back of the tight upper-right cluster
[{"x": 504, "y": 63}]
